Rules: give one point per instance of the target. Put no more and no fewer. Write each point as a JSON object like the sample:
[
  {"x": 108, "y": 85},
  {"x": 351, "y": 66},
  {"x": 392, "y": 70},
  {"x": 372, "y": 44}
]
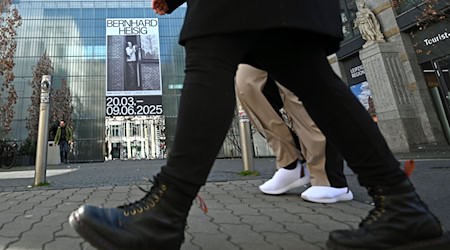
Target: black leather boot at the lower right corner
[{"x": 400, "y": 220}]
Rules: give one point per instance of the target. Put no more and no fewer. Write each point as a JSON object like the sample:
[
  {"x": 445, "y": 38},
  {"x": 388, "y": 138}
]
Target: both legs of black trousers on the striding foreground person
[{"x": 208, "y": 101}]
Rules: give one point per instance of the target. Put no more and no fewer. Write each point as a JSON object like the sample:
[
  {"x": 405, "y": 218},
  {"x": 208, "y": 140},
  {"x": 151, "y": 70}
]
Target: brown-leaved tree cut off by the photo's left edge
[{"x": 9, "y": 21}]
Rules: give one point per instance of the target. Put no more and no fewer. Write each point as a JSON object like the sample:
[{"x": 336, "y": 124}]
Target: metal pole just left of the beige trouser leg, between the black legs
[{"x": 246, "y": 140}]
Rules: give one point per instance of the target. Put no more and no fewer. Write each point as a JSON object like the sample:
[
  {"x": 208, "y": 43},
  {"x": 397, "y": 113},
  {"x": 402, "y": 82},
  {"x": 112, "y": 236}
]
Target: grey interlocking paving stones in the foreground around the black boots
[{"x": 238, "y": 217}]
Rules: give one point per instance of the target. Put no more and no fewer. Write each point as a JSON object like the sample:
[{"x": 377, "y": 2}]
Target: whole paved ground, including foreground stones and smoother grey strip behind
[{"x": 239, "y": 216}]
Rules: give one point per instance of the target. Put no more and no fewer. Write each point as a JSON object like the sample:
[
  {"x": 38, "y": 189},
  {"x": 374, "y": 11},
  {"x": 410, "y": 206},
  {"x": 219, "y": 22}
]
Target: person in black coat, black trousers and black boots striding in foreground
[{"x": 219, "y": 35}]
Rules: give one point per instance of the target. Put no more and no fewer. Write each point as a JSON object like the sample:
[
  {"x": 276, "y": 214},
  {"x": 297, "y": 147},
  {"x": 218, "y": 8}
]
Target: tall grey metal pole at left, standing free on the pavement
[{"x": 41, "y": 150}]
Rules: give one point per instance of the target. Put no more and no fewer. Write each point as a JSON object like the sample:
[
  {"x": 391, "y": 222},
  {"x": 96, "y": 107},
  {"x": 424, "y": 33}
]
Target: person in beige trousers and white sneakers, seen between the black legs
[{"x": 326, "y": 167}]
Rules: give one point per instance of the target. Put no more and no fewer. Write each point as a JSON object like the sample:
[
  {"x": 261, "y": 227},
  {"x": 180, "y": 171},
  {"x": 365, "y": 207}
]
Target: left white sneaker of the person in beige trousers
[{"x": 286, "y": 179}]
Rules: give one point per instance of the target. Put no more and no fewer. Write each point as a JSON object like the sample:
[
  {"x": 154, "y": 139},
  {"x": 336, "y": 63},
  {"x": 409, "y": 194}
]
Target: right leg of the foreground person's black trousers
[{"x": 336, "y": 111}]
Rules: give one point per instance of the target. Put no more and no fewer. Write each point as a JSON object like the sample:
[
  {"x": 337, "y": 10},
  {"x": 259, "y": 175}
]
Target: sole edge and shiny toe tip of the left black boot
[{"x": 88, "y": 234}]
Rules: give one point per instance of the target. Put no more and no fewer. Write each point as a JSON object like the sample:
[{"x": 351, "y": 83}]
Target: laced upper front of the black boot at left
[{"x": 151, "y": 198}]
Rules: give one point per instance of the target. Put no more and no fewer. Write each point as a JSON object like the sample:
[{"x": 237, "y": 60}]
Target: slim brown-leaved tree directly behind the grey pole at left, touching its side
[{"x": 43, "y": 67}]
